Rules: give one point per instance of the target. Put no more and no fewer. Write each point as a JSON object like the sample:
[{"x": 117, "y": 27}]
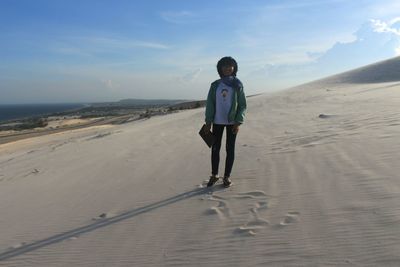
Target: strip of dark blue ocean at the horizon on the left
[{"x": 12, "y": 112}]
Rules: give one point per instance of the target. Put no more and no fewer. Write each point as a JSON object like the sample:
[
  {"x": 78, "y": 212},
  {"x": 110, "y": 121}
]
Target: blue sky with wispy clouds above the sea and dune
[{"x": 90, "y": 51}]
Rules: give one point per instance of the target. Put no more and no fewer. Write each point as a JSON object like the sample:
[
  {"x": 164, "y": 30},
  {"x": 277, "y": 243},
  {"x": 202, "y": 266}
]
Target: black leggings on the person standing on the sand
[{"x": 218, "y": 130}]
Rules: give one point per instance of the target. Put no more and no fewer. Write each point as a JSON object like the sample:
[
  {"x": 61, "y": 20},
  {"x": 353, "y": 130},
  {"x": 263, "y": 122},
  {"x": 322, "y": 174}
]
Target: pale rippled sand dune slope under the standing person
[{"x": 316, "y": 183}]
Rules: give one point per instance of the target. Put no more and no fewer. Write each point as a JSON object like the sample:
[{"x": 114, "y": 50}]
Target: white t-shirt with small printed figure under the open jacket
[{"x": 223, "y": 104}]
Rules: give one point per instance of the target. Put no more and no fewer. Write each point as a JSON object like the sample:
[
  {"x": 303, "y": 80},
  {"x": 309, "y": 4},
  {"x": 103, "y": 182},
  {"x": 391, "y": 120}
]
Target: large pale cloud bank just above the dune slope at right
[{"x": 374, "y": 41}]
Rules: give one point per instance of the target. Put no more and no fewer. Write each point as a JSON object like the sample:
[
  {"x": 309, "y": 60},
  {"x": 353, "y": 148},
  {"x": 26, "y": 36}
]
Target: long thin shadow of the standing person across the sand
[{"x": 102, "y": 223}]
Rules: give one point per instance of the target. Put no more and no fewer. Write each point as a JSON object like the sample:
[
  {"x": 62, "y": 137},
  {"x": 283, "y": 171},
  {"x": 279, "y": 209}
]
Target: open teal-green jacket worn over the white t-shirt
[{"x": 238, "y": 109}]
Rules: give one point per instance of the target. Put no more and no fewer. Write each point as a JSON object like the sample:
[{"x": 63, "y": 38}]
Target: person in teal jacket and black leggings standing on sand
[{"x": 225, "y": 108}]
